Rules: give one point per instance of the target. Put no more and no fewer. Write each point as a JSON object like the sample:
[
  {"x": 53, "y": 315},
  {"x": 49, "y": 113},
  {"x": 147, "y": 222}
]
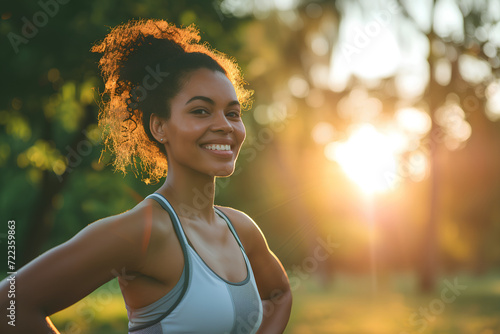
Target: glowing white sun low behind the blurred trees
[{"x": 369, "y": 158}]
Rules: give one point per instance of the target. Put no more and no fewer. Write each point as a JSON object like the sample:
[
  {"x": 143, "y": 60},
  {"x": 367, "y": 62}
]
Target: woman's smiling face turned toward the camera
[{"x": 204, "y": 132}]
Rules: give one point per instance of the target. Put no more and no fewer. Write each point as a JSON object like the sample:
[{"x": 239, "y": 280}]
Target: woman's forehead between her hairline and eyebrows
[{"x": 209, "y": 83}]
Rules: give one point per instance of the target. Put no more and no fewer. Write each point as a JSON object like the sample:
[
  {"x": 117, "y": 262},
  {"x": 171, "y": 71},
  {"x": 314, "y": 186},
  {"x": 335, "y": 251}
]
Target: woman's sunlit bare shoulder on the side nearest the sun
[{"x": 248, "y": 231}]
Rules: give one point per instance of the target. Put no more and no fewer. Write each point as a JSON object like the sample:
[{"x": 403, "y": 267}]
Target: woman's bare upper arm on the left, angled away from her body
[{"x": 70, "y": 271}]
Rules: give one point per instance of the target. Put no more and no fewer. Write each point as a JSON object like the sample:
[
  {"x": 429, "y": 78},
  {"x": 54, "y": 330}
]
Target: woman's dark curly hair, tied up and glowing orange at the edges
[{"x": 144, "y": 65}]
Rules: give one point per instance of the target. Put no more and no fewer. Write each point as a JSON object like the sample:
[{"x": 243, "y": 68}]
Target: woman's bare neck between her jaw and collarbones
[{"x": 191, "y": 194}]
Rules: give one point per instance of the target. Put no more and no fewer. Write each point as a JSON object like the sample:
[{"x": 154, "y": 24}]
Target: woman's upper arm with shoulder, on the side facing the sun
[{"x": 270, "y": 275}]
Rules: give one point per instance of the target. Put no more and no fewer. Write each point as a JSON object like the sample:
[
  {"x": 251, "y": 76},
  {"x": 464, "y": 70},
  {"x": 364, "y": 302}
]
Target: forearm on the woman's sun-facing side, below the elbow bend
[{"x": 276, "y": 312}]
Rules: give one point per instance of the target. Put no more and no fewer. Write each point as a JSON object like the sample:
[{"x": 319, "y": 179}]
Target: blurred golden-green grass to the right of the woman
[{"x": 351, "y": 305}]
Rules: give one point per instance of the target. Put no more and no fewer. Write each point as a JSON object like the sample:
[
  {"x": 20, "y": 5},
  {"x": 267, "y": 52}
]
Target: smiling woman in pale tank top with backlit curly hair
[{"x": 183, "y": 265}]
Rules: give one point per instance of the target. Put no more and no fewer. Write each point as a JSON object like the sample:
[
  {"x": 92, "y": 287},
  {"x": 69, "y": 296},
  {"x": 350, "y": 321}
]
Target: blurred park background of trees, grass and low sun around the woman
[{"x": 372, "y": 161}]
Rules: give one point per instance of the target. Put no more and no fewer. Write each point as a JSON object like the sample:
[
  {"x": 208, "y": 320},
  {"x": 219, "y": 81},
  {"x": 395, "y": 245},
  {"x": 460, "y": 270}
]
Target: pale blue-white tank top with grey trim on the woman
[{"x": 201, "y": 301}]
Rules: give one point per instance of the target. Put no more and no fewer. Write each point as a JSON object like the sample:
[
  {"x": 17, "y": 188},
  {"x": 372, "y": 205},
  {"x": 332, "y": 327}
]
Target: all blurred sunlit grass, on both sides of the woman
[{"x": 347, "y": 305}]
